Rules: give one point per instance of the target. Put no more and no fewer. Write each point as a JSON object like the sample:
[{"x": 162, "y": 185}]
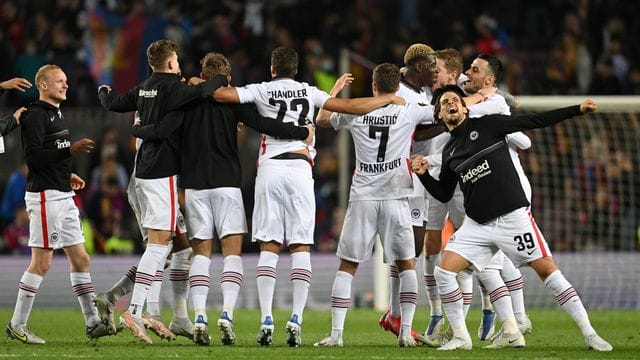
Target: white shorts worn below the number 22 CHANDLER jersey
[{"x": 285, "y": 206}]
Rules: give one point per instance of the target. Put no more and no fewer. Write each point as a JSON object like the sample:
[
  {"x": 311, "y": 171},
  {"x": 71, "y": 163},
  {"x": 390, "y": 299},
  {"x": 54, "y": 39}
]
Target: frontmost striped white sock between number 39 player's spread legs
[{"x": 500, "y": 298}]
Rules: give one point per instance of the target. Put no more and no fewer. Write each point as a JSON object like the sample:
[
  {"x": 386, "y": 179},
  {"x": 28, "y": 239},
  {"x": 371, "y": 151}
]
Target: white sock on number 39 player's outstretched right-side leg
[{"x": 569, "y": 301}]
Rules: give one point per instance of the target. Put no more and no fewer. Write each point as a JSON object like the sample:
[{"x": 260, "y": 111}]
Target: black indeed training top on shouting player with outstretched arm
[{"x": 477, "y": 157}]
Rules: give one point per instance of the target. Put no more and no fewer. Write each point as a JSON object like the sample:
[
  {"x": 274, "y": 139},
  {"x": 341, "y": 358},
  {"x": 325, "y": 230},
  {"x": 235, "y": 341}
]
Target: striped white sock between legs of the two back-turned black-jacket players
[{"x": 179, "y": 277}]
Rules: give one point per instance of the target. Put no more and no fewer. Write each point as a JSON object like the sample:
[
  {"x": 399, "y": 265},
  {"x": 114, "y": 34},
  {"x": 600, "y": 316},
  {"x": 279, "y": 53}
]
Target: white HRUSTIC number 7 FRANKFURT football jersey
[{"x": 381, "y": 140}]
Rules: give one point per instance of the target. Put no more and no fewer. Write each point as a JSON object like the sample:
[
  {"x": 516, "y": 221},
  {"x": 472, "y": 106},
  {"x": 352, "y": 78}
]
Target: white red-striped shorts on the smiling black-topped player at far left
[{"x": 54, "y": 224}]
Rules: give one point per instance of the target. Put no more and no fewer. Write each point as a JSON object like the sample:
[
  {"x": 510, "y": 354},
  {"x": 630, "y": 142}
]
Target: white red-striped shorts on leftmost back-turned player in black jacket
[{"x": 158, "y": 203}]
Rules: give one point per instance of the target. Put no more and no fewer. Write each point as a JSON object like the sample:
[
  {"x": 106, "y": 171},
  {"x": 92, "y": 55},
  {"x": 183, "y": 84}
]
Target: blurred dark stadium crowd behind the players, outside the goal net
[{"x": 560, "y": 47}]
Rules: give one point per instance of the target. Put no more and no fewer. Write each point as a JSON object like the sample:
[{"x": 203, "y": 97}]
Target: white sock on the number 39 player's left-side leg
[{"x": 451, "y": 297}]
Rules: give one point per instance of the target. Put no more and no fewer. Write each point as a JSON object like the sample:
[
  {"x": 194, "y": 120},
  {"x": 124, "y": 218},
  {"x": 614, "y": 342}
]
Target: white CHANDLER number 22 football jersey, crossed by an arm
[{"x": 285, "y": 100}]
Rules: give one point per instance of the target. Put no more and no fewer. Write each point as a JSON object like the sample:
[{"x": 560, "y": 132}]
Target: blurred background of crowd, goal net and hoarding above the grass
[{"x": 584, "y": 172}]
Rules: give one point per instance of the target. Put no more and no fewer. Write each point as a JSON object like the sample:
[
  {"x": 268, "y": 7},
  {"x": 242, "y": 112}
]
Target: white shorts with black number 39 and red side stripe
[{"x": 515, "y": 233}]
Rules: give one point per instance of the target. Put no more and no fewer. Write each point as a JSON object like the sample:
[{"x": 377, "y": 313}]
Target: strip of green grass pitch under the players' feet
[{"x": 554, "y": 336}]
